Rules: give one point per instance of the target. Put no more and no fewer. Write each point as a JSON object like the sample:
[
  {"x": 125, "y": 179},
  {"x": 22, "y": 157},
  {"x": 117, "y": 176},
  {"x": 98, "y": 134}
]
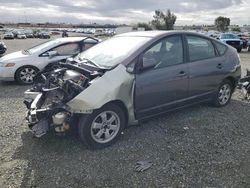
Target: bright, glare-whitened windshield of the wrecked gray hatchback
[{"x": 113, "y": 51}]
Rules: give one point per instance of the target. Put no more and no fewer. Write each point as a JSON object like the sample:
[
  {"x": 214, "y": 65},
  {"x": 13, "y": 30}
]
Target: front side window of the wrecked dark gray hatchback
[{"x": 167, "y": 52}]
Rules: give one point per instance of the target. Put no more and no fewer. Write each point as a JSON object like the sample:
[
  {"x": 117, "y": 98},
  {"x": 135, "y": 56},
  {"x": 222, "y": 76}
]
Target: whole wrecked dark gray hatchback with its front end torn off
[{"x": 128, "y": 78}]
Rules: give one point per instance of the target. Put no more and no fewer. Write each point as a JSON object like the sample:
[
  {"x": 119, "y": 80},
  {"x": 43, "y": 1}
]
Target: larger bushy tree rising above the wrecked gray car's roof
[{"x": 164, "y": 21}]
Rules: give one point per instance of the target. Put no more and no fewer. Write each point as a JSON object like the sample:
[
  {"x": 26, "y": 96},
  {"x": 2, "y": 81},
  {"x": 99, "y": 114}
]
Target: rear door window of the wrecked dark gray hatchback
[{"x": 200, "y": 48}]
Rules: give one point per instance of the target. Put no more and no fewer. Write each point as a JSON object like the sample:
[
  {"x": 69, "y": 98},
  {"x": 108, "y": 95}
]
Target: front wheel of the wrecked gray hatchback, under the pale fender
[{"x": 98, "y": 131}]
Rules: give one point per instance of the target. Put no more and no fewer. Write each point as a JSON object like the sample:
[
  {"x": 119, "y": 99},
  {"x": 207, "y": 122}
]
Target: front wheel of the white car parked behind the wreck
[{"x": 25, "y": 75}]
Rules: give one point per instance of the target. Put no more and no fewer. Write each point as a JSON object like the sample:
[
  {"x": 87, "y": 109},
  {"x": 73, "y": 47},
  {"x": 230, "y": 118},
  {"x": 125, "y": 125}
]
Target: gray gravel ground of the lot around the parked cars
[{"x": 197, "y": 147}]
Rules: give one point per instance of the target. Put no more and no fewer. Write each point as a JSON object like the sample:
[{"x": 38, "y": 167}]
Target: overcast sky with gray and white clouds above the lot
[{"x": 123, "y": 11}]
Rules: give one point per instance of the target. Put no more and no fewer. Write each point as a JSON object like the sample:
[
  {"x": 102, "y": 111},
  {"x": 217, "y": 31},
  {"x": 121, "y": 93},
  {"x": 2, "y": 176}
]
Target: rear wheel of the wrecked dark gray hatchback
[{"x": 223, "y": 94}]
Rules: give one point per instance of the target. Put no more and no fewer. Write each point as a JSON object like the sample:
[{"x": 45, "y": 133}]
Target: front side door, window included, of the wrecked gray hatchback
[{"x": 165, "y": 84}]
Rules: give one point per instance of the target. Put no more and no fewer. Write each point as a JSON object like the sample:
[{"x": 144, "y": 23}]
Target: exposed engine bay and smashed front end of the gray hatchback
[{"x": 47, "y": 99}]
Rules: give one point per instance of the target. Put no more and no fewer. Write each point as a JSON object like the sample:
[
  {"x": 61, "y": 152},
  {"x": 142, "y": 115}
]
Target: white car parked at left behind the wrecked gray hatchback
[{"x": 22, "y": 66}]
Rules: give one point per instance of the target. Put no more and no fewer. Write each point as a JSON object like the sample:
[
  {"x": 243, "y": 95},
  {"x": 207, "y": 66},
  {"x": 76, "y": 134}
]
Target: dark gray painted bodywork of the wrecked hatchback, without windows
[{"x": 159, "y": 90}]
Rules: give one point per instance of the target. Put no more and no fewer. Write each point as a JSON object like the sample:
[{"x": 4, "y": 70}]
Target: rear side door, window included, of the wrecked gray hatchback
[{"x": 206, "y": 67}]
